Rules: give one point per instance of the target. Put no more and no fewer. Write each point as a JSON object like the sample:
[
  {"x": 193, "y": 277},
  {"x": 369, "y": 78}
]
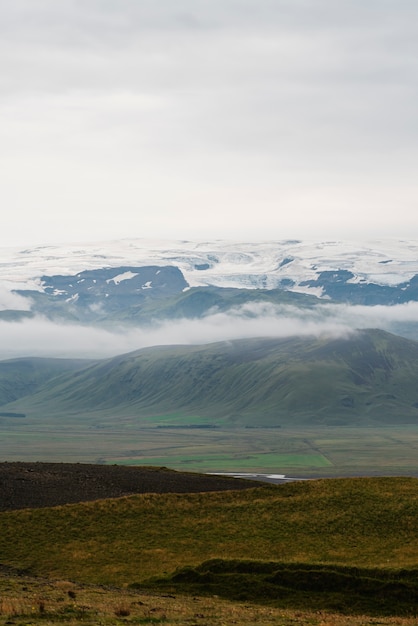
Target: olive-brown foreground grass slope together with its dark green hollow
[{"x": 347, "y": 543}]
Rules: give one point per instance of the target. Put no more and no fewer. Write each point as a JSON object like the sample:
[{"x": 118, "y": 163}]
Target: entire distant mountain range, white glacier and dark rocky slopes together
[{"x": 140, "y": 281}]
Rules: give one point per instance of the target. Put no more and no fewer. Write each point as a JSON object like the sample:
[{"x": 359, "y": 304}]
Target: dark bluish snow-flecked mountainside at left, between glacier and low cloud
[{"x": 130, "y": 304}]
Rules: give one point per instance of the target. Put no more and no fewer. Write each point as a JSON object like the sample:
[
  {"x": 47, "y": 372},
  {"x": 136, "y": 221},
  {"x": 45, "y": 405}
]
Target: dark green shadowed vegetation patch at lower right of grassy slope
[{"x": 348, "y": 590}]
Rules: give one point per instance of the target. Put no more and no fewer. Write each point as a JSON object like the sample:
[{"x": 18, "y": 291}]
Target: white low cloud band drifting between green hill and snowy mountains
[{"x": 41, "y": 337}]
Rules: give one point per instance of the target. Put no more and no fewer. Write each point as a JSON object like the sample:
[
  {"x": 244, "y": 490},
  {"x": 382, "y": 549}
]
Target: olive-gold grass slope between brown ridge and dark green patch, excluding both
[{"x": 367, "y": 522}]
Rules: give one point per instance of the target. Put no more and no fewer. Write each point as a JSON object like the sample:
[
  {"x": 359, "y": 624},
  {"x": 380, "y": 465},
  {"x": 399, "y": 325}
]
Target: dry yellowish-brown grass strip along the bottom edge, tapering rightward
[{"x": 27, "y": 601}]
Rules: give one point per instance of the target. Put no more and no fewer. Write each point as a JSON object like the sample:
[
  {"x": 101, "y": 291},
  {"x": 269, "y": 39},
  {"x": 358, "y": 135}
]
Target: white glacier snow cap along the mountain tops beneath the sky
[{"x": 222, "y": 263}]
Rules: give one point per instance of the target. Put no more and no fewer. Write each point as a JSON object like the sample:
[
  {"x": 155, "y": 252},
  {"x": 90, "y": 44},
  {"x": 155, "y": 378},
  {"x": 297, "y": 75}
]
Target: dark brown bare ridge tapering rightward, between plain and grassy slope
[{"x": 36, "y": 485}]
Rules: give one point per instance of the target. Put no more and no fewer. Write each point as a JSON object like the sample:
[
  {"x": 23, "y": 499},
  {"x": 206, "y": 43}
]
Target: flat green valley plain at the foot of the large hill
[{"x": 317, "y": 451}]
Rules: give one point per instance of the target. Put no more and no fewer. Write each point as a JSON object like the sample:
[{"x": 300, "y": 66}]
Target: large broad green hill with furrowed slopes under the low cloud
[{"x": 368, "y": 378}]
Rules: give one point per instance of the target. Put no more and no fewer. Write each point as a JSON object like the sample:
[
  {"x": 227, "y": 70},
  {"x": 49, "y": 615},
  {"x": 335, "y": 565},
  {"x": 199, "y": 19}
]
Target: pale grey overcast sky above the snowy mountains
[{"x": 242, "y": 119}]
